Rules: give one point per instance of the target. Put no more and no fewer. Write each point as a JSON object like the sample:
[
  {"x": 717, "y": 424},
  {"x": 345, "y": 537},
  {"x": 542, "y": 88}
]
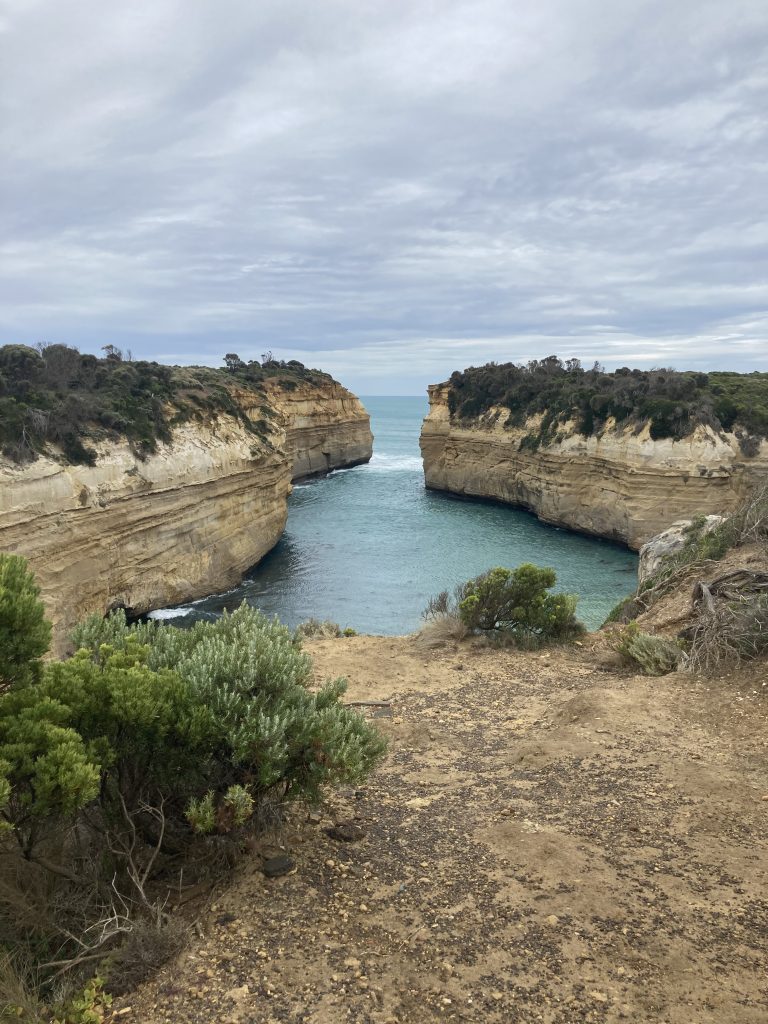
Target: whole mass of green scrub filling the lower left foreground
[{"x": 143, "y": 760}]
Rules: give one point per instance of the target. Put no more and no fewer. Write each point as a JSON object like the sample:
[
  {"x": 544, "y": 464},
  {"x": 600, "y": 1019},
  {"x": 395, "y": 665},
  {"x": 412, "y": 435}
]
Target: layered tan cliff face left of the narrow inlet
[{"x": 186, "y": 522}]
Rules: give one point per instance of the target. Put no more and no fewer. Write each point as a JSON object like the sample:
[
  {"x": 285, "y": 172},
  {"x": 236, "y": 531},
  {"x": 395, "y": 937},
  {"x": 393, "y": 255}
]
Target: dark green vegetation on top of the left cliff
[{"x": 56, "y": 396}]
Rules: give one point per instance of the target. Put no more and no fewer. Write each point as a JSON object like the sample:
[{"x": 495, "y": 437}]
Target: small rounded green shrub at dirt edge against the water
[{"x": 519, "y": 605}]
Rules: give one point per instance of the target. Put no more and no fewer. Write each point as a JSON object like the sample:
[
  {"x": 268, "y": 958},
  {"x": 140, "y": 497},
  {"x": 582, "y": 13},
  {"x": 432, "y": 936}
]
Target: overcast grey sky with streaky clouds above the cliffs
[{"x": 390, "y": 190}]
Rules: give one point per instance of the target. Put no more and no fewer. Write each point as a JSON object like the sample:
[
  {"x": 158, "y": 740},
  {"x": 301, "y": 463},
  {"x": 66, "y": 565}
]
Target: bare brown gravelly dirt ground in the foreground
[{"x": 546, "y": 842}]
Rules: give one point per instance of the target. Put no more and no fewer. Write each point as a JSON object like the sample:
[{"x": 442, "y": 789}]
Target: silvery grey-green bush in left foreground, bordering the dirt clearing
[{"x": 247, "y": 716}]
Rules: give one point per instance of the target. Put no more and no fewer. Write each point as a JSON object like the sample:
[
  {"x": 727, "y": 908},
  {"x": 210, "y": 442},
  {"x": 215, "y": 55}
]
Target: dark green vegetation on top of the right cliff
[{"x": 674, "y": 403}]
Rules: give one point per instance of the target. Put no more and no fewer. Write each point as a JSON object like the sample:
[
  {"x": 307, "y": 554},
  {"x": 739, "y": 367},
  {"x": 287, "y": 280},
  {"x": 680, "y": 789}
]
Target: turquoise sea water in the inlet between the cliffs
[{"x": 367, "y": 547}]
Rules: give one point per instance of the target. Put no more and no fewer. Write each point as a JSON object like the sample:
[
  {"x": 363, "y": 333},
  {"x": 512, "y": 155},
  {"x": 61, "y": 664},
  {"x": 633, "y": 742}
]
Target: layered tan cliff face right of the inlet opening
[{"x": 618, "y": 485}]
